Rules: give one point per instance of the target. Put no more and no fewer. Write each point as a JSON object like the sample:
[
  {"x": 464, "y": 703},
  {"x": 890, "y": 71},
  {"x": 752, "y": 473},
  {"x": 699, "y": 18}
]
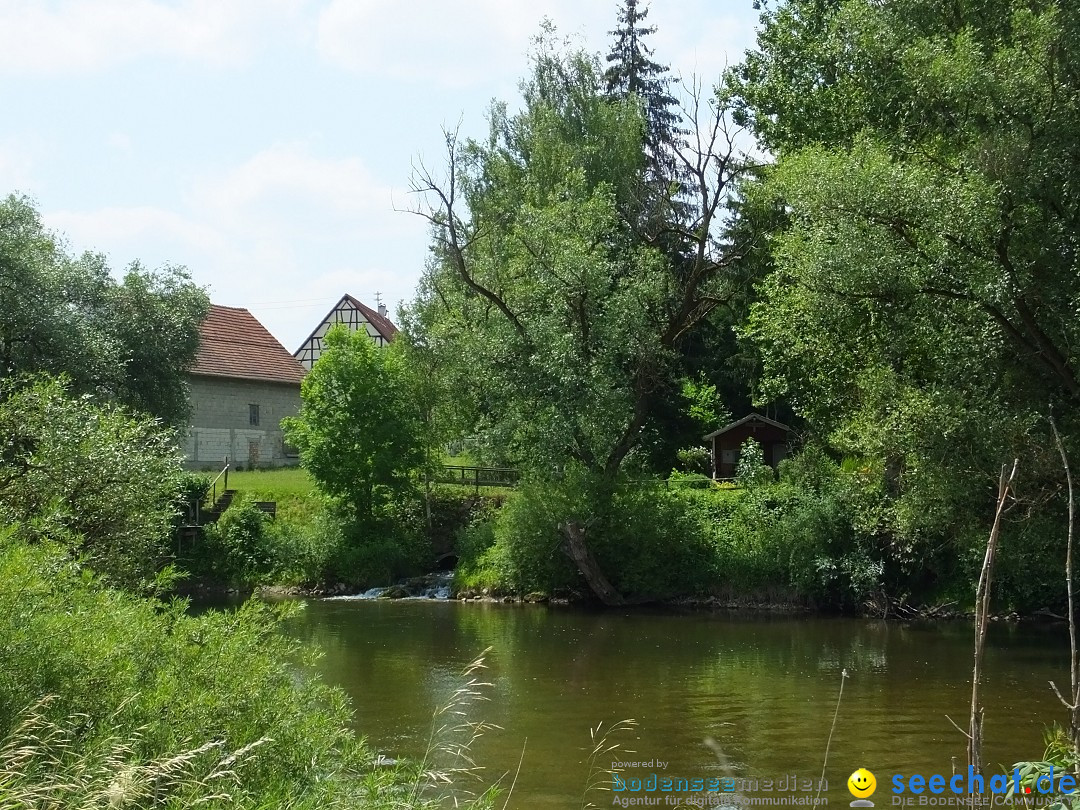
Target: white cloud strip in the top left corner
[{"x": 75, "y": 36}]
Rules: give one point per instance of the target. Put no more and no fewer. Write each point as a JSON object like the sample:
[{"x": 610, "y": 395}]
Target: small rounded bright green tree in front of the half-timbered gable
[{"x": 359, "y": 428}]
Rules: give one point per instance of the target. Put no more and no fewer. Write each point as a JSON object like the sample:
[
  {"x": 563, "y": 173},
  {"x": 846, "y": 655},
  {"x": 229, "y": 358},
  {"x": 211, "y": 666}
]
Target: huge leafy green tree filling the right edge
[{"x": 923, "y": 309}]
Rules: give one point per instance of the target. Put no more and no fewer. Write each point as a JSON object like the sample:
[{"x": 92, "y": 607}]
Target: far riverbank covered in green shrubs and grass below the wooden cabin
[{"x": 778, "y": 546}]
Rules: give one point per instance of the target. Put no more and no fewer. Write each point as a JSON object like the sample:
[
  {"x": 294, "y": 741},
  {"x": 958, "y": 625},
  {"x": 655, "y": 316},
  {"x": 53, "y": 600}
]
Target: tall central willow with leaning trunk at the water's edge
[{"x": 557, "y": 318}]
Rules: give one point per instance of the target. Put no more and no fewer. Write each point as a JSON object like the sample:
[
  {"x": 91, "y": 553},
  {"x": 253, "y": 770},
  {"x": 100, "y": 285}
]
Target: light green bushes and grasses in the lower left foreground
[{"x": 105, "y": 696}]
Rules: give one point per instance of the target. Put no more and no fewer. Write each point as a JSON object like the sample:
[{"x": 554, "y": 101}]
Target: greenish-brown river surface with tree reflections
[{"x": 764, "y": 690}]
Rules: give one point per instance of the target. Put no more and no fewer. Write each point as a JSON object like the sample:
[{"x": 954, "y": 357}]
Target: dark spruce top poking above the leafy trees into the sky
[{"x": 632, "y": 74}]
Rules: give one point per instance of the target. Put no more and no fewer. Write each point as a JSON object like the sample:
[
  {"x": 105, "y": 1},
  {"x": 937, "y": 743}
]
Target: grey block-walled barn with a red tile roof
[{"x": 244, "y": 384}]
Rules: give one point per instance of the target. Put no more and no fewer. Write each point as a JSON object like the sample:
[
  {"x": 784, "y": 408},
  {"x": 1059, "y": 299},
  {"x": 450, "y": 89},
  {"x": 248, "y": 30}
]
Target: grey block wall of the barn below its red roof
[{"x": 222, "y": 424}]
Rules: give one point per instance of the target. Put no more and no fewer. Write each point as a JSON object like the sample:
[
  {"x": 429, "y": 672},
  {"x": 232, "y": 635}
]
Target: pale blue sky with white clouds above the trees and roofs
[{"x": 267, "y": 145}]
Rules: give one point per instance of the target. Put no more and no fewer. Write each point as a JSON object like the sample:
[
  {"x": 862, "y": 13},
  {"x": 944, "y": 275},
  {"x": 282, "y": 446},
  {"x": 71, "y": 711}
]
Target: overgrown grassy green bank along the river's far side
[{"x": 817, "y": 537}]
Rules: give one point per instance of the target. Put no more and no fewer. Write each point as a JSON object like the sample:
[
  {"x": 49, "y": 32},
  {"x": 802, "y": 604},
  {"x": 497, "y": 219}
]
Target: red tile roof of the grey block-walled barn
[{"x": 233, "y": 344}]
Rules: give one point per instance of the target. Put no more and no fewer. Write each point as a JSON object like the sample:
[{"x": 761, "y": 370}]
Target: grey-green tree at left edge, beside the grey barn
[{"x": 131, "y": 343}]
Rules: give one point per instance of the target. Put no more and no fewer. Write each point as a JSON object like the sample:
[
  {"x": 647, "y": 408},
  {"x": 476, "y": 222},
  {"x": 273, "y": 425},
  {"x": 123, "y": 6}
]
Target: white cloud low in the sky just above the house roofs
[{"x": 285, "y": 234}]
